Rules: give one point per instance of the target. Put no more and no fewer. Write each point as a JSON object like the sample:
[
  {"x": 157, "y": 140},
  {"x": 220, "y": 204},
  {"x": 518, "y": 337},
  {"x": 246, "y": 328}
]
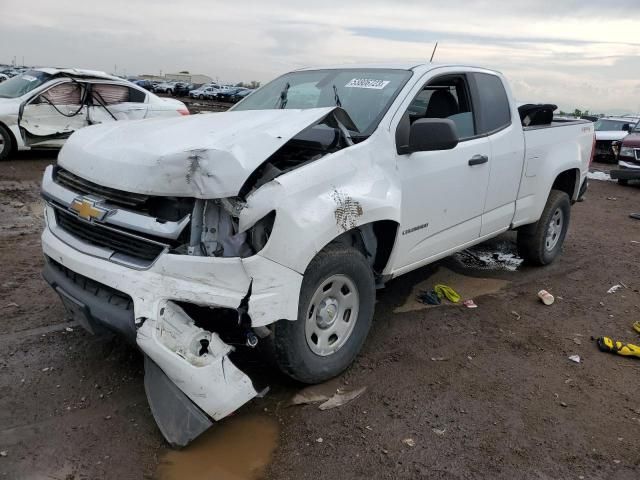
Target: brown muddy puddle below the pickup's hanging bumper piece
[{"x": 239, "y": 448}]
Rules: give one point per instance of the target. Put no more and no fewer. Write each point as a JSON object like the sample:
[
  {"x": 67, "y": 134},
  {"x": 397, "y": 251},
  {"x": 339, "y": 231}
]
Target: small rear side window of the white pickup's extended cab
[{"x": 494, "y": 107}]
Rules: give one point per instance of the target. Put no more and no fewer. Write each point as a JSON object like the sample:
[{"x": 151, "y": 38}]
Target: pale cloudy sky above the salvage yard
[{"x": 574, "y": 53}]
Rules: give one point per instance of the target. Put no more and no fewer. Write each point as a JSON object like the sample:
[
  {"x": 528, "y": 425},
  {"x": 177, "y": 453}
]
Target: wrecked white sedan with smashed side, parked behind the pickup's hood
[{"x": 42, "y": 107}]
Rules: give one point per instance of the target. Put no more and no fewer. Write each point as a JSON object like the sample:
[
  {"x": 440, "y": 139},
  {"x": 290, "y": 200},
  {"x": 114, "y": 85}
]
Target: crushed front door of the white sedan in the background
[{"x": 50, "y": 117}]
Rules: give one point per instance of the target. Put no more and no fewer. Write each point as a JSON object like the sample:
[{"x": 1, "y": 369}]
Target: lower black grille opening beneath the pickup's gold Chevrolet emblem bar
[{"x": 101, "y": 236}]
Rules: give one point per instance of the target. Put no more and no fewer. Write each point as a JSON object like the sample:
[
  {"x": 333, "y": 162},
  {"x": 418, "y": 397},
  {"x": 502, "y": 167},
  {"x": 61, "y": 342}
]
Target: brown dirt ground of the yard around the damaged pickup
[{"x": 482, "y": 393}]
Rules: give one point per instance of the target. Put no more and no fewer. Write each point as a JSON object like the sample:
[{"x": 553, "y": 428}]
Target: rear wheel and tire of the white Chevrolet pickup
[{"x": 541, "y": 242}]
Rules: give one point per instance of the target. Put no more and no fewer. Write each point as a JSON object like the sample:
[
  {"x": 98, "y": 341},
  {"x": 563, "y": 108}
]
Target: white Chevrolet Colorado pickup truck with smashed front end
[{"x": 276, "y": 221}]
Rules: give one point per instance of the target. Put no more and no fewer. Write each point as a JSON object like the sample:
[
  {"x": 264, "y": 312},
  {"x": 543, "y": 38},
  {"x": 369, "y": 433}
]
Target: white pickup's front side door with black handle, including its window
[{"x": 443, "y": 191}]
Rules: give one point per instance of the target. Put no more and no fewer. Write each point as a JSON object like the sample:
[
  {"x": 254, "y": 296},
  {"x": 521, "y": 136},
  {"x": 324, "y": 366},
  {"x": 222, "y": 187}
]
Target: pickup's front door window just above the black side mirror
[{"x": 446, "y": 97}]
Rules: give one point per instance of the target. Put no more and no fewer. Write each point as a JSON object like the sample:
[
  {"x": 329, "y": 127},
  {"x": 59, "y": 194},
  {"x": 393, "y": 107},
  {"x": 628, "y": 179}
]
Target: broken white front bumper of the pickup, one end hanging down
[{"x": 142, "y": 305}]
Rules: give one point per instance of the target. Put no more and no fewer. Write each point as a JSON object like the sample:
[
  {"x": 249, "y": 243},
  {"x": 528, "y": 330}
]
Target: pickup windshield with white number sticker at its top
[{"x": 365, "y": 94}]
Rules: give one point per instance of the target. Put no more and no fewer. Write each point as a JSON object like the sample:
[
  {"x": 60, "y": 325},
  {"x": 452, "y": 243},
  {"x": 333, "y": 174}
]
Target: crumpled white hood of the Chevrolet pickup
[{"x": 201, "y": 156}]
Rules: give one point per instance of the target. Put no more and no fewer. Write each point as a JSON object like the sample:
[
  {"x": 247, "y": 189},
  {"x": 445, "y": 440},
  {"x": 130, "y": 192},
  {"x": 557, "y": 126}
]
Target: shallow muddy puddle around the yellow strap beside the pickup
[{"x": 467, "y": 287}]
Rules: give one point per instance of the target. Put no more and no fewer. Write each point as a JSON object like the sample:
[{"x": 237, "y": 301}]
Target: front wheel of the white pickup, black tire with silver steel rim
[{"x": 337, "y": 300}]
